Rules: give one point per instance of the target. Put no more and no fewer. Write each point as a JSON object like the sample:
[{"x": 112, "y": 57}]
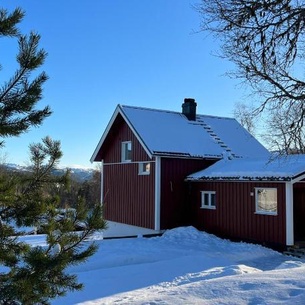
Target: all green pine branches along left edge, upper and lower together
[{"x": 36, "y": 274}]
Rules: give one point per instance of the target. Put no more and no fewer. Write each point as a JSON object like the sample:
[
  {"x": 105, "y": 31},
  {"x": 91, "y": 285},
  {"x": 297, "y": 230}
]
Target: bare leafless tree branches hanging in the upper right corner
[{"x": 265, "y": 40}]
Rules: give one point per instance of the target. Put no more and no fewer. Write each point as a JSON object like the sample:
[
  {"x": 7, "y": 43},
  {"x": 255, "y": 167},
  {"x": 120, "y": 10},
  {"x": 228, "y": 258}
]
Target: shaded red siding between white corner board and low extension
[{"x": 174, "y": 191}]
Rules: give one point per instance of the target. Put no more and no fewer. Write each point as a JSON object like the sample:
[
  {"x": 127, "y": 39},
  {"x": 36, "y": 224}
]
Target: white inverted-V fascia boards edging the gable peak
[{"x": 117, "y": 111}]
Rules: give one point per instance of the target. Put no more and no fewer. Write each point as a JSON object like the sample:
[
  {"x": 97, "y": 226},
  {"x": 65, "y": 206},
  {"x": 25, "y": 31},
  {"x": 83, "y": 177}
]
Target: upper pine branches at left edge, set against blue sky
[{"x": 20, "y": 94}]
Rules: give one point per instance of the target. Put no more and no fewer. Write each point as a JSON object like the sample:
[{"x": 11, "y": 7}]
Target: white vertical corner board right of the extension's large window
[{"x": 289, "y": 214}]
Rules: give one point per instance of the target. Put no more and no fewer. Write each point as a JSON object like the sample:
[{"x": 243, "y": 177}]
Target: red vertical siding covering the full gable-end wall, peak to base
[{"x": 128, "y": 197}]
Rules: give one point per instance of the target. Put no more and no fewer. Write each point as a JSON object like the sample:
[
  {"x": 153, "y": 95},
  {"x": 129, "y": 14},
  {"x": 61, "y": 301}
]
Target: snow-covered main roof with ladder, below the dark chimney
[{"x": 168, "y": 132}]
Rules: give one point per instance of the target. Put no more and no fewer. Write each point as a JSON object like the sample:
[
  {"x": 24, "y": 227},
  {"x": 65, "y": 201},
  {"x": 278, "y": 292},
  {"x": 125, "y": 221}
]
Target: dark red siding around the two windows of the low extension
[{"x": 235, "y": 217}]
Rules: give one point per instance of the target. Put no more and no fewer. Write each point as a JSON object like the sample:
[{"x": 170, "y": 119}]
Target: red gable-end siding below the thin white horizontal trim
[{"x": 128, "y": 197}]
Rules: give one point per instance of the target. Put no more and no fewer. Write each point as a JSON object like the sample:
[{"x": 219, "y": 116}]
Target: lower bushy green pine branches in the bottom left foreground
[{"x": 36, "y": 274}]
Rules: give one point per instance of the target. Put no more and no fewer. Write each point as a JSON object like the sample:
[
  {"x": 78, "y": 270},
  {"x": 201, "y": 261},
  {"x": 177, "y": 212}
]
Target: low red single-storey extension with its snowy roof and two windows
[{"x": 256, "y": 199}]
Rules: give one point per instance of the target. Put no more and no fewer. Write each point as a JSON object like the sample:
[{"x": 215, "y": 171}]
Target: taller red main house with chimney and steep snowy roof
[{"x": 147, "y": 154}]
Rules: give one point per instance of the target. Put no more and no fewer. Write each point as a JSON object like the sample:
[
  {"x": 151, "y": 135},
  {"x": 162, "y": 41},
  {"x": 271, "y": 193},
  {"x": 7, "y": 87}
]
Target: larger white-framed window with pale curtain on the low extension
[{"x": 266, "y": 201}]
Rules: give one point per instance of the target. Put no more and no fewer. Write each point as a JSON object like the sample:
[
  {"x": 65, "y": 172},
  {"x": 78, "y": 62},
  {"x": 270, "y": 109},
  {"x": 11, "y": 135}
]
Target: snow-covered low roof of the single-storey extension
[{"x": 275, "y": 168}]
